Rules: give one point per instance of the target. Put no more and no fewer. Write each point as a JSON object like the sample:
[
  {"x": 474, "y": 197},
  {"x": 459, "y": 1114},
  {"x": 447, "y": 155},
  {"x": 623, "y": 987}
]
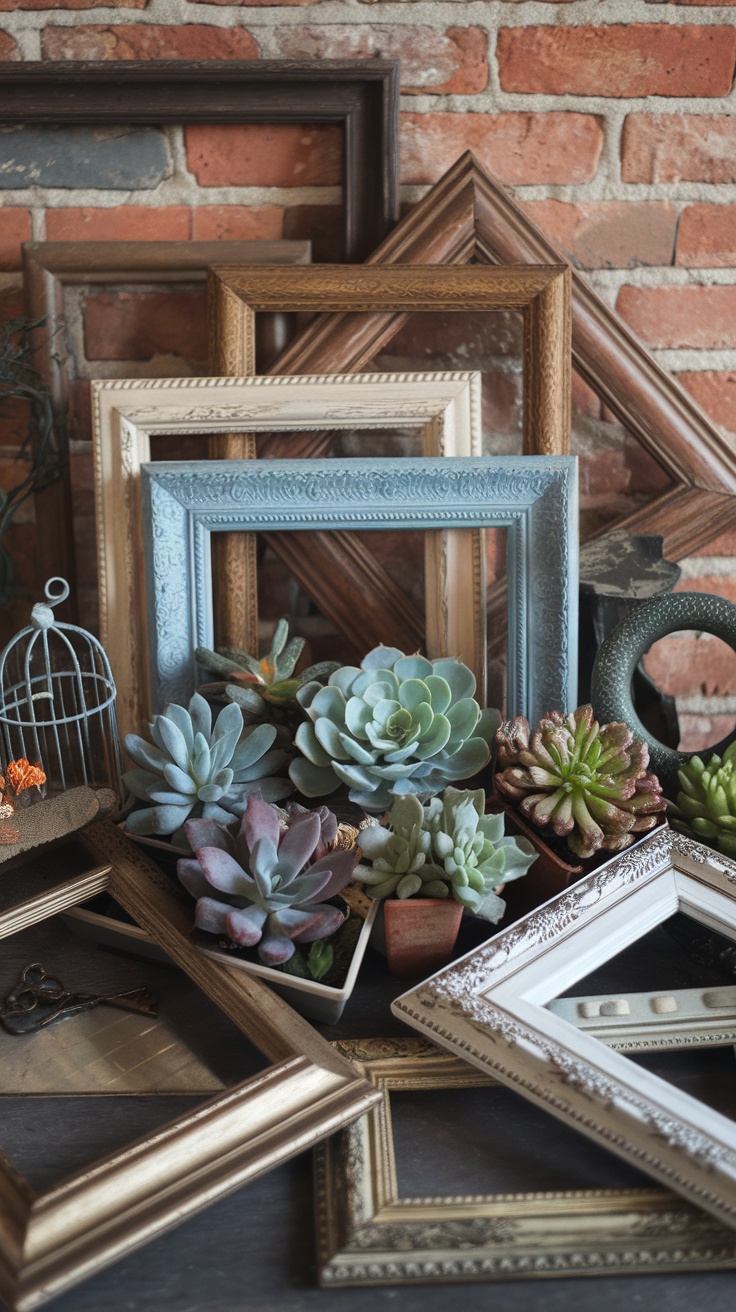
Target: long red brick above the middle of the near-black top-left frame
[{"x": 149, "y": 41}]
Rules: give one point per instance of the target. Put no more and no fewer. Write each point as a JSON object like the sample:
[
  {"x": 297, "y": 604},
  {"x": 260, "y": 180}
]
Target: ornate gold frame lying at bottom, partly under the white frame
[{"x": 369, "y": 1235}]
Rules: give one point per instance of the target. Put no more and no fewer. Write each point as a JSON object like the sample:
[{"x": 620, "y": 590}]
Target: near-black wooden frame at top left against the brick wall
[{"x": 360, "y": 95}]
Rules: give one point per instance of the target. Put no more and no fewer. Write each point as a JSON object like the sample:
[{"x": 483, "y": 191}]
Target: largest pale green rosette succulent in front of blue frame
[{"x": 397, "y": 726}]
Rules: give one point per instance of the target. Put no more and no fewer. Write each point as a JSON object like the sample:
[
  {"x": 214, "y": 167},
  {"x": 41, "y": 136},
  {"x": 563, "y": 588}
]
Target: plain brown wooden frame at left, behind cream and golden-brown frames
[{"x": 49, "y": 270}]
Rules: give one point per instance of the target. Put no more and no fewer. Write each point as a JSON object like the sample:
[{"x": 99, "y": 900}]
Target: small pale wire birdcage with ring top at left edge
[{"x": 58, "y": 703}]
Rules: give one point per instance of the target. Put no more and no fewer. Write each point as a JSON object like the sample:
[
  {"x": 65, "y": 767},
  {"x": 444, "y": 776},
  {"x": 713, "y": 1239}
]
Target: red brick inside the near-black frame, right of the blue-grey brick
[{"x": 264, "y": 155}]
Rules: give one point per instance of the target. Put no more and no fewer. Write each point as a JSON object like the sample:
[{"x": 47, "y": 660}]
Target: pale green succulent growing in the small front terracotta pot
[{"x": 447, "y": 848}]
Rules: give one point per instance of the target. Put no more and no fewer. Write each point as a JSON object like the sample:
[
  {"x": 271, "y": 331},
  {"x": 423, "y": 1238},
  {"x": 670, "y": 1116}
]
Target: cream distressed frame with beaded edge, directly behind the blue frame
[{"x": 129, "y": 413}]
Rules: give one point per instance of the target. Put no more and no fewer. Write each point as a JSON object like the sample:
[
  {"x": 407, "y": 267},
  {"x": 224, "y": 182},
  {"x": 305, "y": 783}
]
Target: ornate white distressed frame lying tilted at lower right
[{"x": 503, "y": 1025}]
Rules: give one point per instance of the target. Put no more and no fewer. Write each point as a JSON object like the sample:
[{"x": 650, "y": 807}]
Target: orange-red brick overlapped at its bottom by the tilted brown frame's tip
[{"x": 519, "y": 149}]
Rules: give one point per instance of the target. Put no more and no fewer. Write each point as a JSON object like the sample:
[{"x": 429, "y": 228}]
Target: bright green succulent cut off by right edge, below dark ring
[{"x": 706, "y": 804}]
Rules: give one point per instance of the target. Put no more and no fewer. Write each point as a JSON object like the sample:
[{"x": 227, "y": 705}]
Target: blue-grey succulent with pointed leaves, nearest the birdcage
[{"x": 195, "y": 769}]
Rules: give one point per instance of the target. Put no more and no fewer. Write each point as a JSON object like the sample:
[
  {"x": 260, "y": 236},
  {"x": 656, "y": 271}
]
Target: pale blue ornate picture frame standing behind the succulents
[{"x": 535, "y": 498}]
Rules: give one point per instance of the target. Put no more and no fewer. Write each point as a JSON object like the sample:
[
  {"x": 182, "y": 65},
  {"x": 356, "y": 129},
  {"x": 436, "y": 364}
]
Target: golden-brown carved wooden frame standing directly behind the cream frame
[{"x": 369, "y": 298}]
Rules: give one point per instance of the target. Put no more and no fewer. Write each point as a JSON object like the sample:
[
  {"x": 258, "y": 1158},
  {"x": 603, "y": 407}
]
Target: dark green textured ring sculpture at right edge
[{"x": 624, "y": 649}]
